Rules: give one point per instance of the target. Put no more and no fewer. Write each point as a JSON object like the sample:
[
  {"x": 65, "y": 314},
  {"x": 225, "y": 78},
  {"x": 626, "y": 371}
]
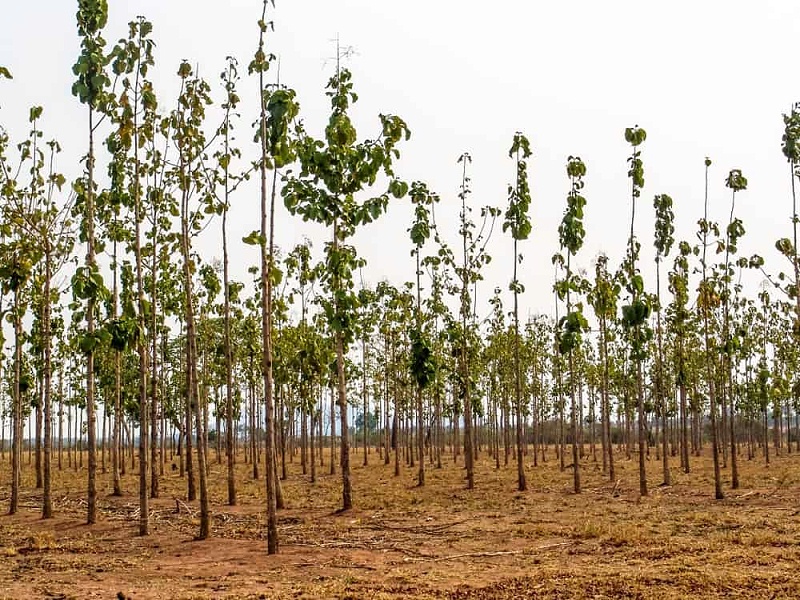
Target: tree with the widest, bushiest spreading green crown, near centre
[{"x": 333, "y": 173}]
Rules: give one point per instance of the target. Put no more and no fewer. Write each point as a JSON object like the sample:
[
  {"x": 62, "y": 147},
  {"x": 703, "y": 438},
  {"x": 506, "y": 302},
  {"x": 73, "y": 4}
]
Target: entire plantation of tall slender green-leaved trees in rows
[{"x": 122, "y": 334}]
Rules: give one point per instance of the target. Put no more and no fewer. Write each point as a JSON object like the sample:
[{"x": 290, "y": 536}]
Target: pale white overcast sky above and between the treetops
[{"x": 707, "y": 78}]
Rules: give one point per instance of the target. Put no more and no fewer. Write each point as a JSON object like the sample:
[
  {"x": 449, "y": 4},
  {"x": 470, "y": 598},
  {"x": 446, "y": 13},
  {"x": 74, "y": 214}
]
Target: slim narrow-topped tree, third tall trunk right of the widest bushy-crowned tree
[{"x": 518, "y": 222}]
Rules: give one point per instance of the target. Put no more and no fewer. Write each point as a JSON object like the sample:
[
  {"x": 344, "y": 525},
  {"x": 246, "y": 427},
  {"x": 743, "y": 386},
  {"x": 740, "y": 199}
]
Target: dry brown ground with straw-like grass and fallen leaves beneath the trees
[{"x": 402, "y": 541}]
